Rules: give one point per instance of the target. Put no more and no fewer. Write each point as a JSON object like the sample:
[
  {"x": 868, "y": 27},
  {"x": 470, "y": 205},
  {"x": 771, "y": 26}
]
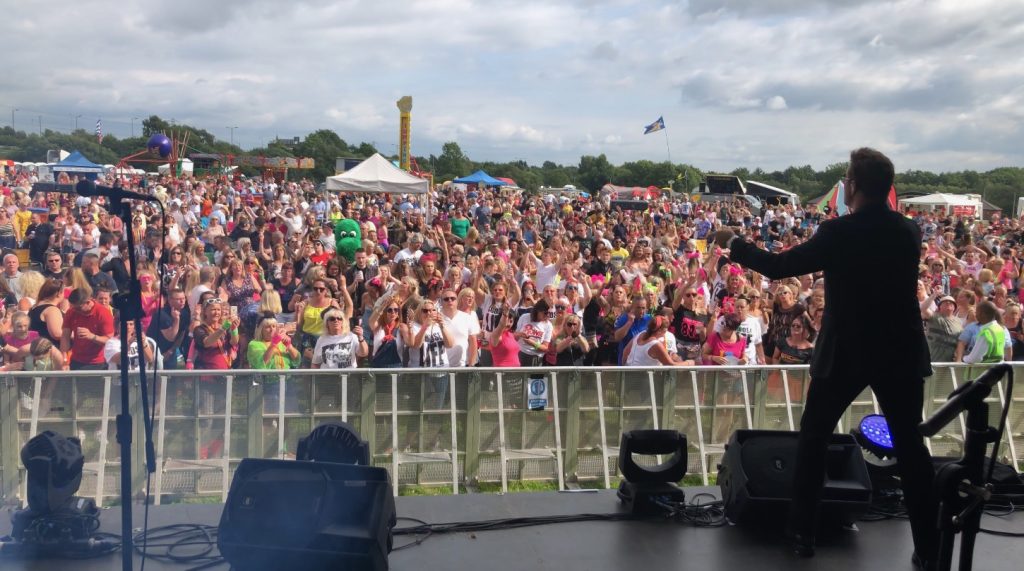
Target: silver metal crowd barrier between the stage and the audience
[{"x": 455, "y": 427}]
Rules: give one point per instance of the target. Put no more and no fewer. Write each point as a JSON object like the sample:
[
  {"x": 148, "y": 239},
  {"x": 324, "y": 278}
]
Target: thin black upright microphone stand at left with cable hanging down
[{"x": 130, "y": 305}]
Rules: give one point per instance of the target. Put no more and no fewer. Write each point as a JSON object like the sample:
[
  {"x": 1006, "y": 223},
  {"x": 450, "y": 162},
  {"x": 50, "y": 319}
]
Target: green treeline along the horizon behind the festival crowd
[{"x": 1000, "y": 187}]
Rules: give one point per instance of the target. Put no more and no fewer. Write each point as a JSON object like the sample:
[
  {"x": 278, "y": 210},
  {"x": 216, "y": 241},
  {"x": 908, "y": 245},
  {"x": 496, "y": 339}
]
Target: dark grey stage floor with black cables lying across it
[{"x": 592, "y": 546}]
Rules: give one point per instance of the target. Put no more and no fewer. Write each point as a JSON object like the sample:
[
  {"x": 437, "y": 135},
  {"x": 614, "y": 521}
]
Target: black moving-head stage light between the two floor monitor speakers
[{"x": 651, "y": 490}]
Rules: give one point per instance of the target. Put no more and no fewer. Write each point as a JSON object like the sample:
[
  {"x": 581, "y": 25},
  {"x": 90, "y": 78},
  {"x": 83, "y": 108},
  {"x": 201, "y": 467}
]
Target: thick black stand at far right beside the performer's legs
[{"x": 960, "y": 488}]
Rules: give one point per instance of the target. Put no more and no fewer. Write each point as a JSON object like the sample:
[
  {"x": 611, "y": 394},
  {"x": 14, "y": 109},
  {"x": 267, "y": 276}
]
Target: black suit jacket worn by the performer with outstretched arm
[{"x": 872, "y": 324}]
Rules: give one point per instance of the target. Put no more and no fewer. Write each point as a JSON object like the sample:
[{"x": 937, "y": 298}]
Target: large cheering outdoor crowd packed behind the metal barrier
[{"x": 266, "y": 276}]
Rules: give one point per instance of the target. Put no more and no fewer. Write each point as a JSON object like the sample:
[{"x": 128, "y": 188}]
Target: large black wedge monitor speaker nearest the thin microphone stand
[{"x": 308, "y": 515}]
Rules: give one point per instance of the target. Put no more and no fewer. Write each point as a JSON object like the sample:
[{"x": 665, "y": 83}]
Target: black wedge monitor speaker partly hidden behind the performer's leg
[{"x": 756, "y": 477}]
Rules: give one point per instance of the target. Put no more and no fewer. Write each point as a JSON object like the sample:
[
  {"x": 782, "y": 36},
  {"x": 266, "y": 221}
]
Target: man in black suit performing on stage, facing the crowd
[{"x": 871, "y": 335}]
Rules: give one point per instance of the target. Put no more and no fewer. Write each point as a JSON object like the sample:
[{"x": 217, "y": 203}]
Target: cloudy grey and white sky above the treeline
[{"x": 754, "y": 83}]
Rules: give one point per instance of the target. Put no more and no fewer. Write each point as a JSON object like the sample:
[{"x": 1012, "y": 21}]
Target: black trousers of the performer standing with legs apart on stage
[{"x": 902, "y": 401}]
